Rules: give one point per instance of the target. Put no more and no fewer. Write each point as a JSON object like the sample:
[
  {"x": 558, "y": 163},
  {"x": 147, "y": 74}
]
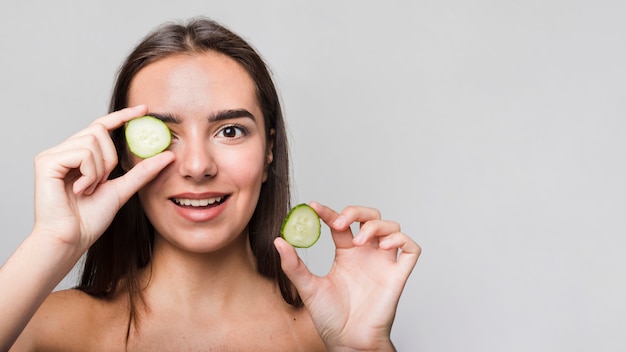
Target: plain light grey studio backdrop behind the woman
[{"x": 492, "y": 131}]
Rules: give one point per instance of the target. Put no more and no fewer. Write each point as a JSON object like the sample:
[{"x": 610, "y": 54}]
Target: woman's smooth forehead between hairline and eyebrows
[{"x": 198, "y": 83}]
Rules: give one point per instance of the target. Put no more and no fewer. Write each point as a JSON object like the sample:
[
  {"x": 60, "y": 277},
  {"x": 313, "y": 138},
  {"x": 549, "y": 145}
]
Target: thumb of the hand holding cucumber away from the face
[{"x": 297, "y": 272}]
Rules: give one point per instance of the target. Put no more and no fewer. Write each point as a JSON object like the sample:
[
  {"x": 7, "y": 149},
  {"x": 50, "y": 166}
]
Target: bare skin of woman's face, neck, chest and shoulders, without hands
[{"x": 202, "y": 289}]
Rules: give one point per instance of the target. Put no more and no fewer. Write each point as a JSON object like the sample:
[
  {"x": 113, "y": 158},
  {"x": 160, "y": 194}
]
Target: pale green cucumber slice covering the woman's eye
[{"x": 147, "y": 136}]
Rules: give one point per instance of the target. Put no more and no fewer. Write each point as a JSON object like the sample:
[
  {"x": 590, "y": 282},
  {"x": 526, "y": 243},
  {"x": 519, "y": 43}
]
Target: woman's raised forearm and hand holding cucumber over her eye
[{"x": 74, "y": 204}]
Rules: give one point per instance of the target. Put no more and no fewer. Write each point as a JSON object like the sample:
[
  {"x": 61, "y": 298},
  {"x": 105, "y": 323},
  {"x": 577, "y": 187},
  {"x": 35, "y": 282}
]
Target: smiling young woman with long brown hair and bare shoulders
[{"x": 182, "y": 249}]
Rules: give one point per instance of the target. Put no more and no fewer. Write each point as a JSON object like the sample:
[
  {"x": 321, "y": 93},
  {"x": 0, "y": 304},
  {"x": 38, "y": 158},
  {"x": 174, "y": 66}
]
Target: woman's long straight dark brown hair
[{"x": 126, "y": 246}]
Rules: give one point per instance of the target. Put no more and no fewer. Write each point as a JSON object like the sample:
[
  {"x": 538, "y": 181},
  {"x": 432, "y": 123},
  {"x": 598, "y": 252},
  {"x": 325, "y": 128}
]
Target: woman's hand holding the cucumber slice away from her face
[{"x": 353, "y": 307}]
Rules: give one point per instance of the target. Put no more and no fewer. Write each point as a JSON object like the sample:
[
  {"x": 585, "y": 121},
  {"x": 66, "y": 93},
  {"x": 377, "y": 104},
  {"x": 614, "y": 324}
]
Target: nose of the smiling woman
[{"x": 196, "y": 161}]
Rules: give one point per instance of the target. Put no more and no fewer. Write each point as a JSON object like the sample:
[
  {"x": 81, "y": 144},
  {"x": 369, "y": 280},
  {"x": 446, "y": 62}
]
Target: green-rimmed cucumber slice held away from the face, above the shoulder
[{"x": 301, "y": 227}]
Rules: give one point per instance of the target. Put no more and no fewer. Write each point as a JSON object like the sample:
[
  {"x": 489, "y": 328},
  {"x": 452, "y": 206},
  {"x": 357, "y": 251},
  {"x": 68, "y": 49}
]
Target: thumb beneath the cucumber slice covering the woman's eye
[{"x": 141, "y": 174}]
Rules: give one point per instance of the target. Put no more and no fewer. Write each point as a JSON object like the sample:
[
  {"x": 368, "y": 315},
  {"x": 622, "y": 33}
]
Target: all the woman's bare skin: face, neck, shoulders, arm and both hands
[{"x": 202, "y": 289}]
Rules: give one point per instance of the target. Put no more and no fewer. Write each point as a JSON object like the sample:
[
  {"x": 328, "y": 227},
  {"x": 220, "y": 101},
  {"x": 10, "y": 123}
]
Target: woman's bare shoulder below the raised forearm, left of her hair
[{"x": 71, "y": 320}]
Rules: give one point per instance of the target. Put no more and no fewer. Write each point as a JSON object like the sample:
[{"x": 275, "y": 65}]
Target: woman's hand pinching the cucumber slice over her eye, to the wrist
[{"x": 74, "y": 200}]
